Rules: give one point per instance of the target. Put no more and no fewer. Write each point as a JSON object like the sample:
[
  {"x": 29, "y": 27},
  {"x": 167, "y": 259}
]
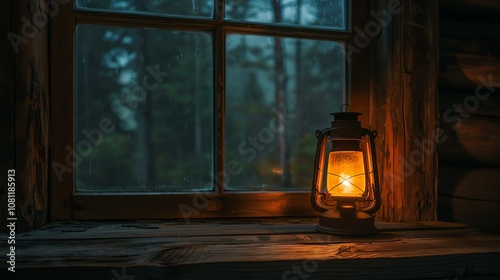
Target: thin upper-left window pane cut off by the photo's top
[{"x": 194, "y": 8}]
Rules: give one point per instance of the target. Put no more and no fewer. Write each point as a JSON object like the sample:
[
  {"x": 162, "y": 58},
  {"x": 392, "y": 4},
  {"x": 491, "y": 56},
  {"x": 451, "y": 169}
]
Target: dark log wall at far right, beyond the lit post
[{"x": 469, "y": 105}]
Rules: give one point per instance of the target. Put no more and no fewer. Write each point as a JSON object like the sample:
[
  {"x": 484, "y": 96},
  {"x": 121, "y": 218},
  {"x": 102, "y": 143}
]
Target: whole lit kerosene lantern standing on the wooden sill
[{"x": 345, "y": 183}]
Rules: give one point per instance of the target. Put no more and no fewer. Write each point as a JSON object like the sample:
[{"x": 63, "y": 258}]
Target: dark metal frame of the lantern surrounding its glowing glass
[{"x": 350, "y": 215}]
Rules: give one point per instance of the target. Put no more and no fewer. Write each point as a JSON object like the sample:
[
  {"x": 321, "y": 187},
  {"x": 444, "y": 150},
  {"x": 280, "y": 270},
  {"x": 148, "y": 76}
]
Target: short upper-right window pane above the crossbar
[{"x": 307, "y": 13}]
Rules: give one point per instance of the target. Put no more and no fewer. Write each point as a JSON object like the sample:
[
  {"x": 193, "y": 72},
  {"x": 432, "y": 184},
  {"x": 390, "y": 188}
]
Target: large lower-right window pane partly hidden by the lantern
[{"x": 279, "y": 91}]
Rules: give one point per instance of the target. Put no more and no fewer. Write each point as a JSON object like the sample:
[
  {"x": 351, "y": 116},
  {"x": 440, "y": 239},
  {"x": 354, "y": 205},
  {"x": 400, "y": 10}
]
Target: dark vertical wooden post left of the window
[{"x": 26, "y": 100}]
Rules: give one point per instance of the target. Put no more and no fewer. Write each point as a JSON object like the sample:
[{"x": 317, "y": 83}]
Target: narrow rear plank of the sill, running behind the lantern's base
[{"x": 88, "y": 230}]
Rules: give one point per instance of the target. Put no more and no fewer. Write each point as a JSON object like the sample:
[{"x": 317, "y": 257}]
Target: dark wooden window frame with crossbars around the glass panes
[{"x": 66, "y": 204}]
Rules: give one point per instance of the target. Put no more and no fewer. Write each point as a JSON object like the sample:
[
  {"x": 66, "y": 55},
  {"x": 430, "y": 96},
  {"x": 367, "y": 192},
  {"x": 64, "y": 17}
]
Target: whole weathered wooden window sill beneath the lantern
[{"x": 285, "y": 248}]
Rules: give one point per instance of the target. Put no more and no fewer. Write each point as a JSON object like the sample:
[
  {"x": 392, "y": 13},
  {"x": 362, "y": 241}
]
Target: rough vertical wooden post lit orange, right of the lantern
[{"x": 404, "y": 110}]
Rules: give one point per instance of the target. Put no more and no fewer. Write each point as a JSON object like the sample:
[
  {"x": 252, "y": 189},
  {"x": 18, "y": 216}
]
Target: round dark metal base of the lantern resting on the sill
[{"x": 346, "y": 222}]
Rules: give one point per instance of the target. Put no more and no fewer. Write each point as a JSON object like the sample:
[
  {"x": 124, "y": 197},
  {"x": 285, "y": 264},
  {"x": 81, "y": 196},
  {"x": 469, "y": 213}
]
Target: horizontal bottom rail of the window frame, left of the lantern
[{"x": 192, "y": 206}]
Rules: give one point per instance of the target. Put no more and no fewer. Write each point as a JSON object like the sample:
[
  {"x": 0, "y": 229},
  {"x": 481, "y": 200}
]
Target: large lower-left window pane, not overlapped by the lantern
[{"x": 144, "y": 109}]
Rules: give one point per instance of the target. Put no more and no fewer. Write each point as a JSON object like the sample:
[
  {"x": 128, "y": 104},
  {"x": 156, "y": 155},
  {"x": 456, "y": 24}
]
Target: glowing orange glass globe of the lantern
[{"x": 346, "y": 174}]
